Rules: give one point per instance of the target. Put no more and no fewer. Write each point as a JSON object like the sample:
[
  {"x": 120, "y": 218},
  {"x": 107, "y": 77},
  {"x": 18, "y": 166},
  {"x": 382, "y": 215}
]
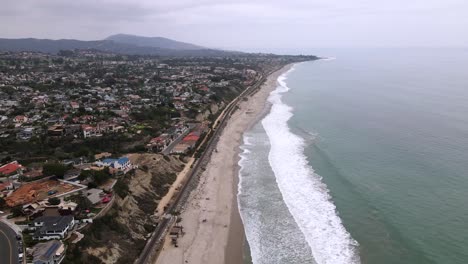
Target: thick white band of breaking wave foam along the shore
[{"x": 303, "y": 192}]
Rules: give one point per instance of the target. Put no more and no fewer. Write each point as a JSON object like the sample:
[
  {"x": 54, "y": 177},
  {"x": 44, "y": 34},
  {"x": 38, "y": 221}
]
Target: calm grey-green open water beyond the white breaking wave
[{"x": 389, "y": 135}]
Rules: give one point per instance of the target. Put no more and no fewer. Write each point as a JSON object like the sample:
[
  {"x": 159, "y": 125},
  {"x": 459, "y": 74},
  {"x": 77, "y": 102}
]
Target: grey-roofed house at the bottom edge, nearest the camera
[{"x": 51, "y": 252}]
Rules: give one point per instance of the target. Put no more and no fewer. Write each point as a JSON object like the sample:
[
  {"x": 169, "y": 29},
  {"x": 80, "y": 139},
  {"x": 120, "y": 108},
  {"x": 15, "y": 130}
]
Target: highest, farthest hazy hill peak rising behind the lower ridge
[{"x": 155, "y": 42}]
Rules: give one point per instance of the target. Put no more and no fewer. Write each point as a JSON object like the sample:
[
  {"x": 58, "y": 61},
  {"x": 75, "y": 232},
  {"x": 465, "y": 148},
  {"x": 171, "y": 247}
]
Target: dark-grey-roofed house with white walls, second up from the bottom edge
[{"x": 52, "y": 227}]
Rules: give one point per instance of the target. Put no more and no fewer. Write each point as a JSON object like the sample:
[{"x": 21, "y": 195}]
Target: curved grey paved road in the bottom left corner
[{"x": 8, "y": 245}]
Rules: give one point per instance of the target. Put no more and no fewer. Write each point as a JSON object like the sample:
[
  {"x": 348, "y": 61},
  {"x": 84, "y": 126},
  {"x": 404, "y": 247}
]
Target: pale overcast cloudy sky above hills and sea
[{"x": 246, "y": 24}]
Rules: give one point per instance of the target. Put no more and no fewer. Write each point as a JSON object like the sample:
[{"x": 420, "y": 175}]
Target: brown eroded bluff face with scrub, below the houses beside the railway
[{"x": 120, "y": 235}]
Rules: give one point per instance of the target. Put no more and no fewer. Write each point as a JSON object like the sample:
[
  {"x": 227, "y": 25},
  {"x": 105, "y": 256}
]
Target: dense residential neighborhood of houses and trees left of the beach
[{"x": 70, "y": 124}]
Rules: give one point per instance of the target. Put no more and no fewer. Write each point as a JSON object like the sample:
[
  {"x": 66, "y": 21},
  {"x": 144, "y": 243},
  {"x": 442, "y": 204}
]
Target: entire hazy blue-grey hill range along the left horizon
[{"x": 122, "y": 44}]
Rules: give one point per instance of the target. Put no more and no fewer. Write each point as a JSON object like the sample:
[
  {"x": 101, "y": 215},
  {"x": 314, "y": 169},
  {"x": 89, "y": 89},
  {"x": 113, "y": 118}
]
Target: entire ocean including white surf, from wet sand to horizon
[{"x": 362, "y": 158}]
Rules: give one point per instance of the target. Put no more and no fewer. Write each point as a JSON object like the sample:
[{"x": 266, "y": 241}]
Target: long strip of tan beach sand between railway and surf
[{"x": 211, "y": 221}]
